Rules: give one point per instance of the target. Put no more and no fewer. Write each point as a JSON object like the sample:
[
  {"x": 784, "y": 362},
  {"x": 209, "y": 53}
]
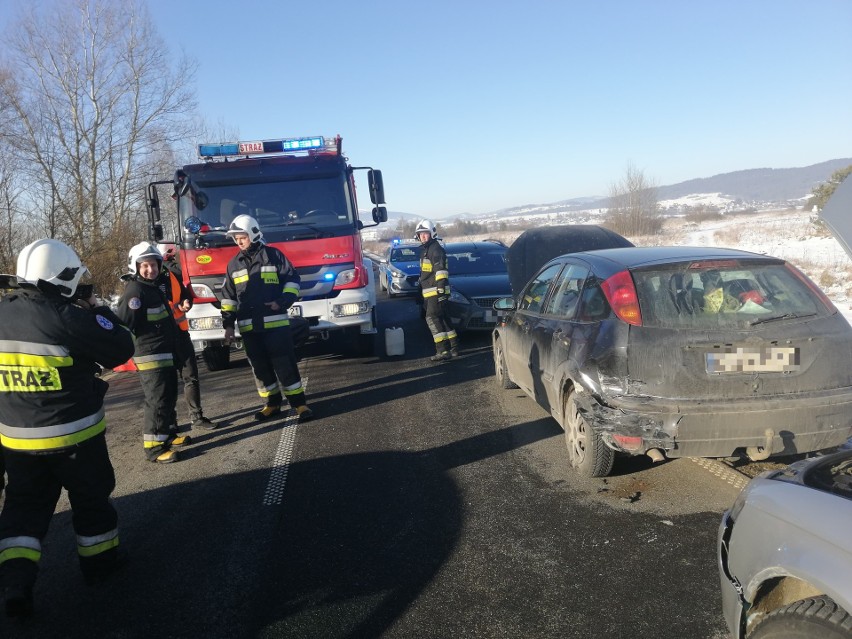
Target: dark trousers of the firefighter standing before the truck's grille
[{"x": 273, "y": 362}]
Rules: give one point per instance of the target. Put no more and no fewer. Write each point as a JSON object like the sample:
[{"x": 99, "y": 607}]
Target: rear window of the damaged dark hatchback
[{"x": 724, "y": 293}]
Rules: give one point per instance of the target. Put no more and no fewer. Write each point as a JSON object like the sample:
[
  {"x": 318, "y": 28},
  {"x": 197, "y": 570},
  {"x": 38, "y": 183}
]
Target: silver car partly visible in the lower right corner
[{"x": 785, "y": 552}]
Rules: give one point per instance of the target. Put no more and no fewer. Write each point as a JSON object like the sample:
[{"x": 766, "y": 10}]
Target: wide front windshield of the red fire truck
[{"x": 321, "y": 203}]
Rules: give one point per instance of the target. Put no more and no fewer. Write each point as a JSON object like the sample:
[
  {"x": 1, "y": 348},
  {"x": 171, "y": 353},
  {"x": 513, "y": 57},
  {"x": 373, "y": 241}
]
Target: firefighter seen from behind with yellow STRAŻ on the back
[{"x": 53, "y": 337}]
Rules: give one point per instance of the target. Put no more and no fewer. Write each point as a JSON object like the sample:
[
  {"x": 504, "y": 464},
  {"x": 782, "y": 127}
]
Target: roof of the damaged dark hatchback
[{"x": 639, "y": 256}]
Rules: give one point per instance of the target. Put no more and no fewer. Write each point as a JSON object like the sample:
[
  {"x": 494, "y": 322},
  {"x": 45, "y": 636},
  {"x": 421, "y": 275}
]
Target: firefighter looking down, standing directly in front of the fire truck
[{"x": 260, "y": 285}]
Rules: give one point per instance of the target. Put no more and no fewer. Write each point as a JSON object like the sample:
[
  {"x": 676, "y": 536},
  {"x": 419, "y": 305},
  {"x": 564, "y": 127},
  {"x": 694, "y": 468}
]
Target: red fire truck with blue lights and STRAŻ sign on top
[{"x": 302, "y": 193}]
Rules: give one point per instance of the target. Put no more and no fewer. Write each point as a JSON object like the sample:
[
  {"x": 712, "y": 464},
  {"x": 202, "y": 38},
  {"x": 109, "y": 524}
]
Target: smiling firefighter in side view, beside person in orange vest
[{"x": 144, "y": 308}]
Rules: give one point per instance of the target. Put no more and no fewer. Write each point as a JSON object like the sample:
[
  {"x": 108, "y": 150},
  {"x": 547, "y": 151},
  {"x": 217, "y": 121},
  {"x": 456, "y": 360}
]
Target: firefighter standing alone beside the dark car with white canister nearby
[{"x": 435, "y": 288}]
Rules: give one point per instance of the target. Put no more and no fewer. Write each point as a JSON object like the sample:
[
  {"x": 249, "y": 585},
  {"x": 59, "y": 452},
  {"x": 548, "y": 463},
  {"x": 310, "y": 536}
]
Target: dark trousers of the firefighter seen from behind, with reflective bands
[{"x": 35, "y": 483}]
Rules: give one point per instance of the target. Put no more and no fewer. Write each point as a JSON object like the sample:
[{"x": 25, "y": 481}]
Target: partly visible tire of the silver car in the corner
[{"x": 815, "y": 618}]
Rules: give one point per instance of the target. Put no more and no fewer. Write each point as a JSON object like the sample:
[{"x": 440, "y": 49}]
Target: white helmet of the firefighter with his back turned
[{"x": 53, "y": 262}]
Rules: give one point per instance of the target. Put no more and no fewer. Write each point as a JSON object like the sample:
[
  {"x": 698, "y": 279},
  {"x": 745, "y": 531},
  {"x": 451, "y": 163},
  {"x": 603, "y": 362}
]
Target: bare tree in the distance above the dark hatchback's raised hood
[{"x": 634, "y": 205}]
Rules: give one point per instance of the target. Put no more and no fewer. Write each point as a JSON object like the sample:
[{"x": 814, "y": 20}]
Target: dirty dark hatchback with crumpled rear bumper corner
[{"x": 679, "y": 352}]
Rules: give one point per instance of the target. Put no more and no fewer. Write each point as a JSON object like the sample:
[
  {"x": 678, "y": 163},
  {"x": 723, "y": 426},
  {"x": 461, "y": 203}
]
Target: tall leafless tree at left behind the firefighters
[{"x": 98, "y": 104}]
